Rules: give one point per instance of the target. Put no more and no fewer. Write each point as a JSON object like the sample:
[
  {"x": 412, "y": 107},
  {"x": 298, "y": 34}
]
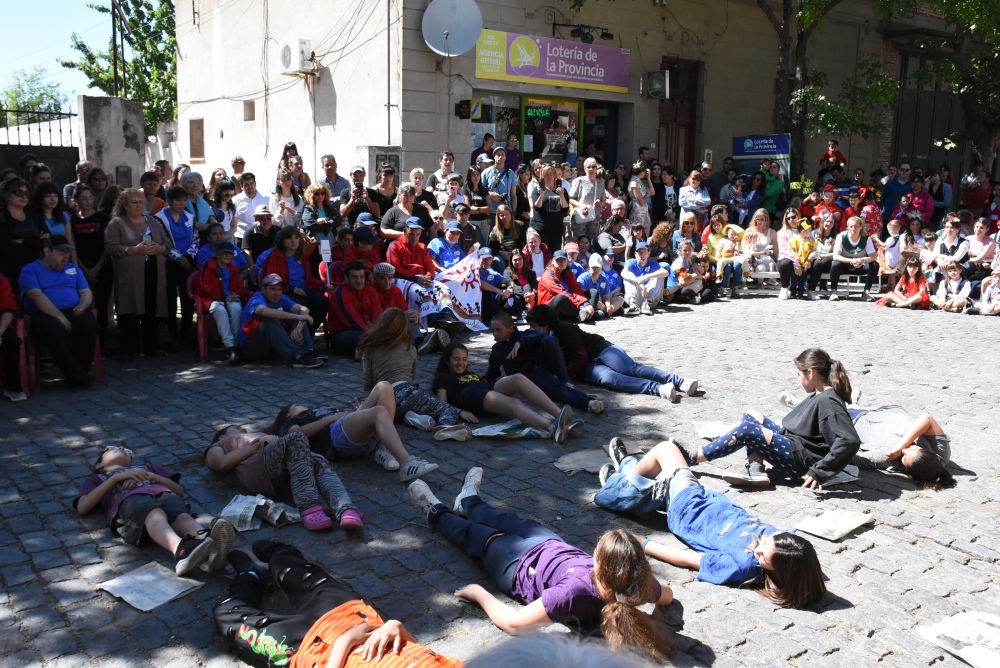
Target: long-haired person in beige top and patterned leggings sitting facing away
[{"x": 388, "y": 355}]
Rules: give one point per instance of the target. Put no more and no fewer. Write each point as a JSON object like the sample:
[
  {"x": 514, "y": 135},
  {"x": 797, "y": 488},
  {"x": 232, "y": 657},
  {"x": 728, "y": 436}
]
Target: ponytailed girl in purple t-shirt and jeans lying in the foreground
[{"x": 555, "y": 581}]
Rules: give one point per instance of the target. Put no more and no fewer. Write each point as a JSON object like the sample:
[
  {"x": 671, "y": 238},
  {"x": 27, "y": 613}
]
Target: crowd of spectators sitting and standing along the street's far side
[{"x": 600, "y": 242}]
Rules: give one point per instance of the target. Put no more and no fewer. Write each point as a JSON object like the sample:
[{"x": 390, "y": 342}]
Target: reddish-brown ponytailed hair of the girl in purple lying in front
[{"x": 621, "y": 569}]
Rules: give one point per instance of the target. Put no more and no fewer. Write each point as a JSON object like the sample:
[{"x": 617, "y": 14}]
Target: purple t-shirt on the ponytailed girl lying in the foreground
[{"x": 560, "y": 575}]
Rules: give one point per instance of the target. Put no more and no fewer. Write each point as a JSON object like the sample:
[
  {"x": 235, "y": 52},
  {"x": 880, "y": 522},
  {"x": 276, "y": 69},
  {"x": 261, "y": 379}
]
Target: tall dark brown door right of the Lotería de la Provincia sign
[{"x": 677, "y": 115}]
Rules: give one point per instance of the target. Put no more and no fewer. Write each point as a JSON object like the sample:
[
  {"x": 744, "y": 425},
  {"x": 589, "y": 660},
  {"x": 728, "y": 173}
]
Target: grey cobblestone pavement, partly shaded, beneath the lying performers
[{"x": 928, "y": 555}]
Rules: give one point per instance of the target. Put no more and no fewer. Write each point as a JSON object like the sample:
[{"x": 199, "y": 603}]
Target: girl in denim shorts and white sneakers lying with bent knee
[{"x": 349, "y": 435}]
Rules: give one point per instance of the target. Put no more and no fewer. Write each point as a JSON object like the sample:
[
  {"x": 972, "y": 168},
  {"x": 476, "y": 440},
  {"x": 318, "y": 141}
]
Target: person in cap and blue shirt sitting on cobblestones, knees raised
[{"x": 263, "y": 330}]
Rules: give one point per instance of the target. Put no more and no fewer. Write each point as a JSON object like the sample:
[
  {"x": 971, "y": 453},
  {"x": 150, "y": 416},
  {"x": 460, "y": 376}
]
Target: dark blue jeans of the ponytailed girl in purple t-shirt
[{"x": 499, "y": 540}]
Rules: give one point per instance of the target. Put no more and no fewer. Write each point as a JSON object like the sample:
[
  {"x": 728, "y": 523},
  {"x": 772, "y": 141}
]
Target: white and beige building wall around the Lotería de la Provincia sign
[{"x": 228, "y": 52}]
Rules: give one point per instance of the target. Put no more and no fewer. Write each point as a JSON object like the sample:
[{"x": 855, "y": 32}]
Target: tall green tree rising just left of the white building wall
[{"x": 149, "y": 71}]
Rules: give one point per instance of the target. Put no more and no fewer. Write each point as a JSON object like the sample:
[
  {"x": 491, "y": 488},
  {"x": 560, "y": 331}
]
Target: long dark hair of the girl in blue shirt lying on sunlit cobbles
[{"x": 796, "y": 579}]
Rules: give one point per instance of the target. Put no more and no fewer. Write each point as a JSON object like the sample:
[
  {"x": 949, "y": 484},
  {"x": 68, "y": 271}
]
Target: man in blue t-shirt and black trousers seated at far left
[{"x": 59, "y": 299}]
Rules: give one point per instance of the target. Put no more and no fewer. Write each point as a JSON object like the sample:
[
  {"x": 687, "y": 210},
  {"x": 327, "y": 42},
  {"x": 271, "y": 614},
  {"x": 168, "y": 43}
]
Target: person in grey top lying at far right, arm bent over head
[{"x": 893, "y": 440}]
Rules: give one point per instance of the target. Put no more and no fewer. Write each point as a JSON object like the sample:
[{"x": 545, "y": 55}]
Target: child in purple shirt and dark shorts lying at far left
[{"x": 144, "y": 499}]
